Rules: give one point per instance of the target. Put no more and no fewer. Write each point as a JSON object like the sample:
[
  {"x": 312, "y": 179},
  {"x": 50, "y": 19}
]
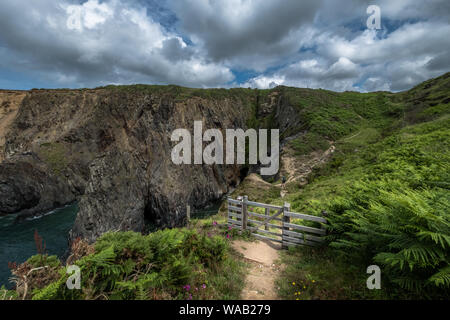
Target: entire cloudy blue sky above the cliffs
[{"x": 223, "y": 43}]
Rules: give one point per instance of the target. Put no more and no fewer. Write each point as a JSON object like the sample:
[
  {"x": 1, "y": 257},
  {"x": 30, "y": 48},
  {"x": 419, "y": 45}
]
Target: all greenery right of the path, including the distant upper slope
[{"x": 386, "y": 191}]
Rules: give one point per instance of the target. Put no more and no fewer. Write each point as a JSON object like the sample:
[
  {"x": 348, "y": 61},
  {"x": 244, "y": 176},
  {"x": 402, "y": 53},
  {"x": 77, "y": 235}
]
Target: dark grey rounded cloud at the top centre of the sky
[{"x": 245, "y": 33}]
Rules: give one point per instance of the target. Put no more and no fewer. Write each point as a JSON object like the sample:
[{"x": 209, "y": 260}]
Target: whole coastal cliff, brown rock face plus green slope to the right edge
[{"x": 109, "y": 148}]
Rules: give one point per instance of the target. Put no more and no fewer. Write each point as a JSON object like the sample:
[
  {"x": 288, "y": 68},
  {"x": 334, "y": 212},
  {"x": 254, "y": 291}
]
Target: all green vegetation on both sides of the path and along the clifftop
[{"x": 385, "y": 191}]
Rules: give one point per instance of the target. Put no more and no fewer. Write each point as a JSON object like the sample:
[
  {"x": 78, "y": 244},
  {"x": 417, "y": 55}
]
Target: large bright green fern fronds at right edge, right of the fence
[{"x": 406, "y": 231}]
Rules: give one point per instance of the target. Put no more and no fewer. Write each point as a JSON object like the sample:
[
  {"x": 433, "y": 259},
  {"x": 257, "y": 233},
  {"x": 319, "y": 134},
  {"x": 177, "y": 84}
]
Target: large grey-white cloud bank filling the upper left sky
[{"x": 98, "y": 43}]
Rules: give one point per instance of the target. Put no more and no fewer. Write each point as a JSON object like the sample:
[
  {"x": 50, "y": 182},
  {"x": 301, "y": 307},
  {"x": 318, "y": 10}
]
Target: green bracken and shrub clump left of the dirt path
[{"x": 128, "y": 265}]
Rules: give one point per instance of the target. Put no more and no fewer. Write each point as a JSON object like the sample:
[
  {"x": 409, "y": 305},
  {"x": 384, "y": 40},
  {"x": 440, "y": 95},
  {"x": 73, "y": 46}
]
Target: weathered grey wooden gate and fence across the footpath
[{"x": 270, "y": 222}]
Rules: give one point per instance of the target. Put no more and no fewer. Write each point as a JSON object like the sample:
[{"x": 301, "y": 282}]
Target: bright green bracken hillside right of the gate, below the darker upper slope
[{"x": 388, "y": 204}]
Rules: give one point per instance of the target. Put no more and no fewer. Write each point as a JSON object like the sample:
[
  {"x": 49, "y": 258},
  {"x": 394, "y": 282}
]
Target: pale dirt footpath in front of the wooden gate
[{"x": 264, "y": 268}]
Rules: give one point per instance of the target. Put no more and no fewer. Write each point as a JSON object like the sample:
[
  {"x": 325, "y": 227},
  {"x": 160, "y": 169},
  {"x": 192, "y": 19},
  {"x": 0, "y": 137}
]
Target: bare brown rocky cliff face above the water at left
[{"x": 110, "y": 148}]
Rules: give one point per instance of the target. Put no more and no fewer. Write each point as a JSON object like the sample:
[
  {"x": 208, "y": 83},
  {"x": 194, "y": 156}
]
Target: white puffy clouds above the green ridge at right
[{"x": 366, "y": 62}]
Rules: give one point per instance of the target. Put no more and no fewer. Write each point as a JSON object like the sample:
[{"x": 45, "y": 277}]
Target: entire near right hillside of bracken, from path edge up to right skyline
[{"x": 386, "y": 192}]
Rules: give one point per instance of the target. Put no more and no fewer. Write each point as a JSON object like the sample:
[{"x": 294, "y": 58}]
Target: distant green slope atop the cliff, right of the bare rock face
[{"x": 332, "y": 115}]
